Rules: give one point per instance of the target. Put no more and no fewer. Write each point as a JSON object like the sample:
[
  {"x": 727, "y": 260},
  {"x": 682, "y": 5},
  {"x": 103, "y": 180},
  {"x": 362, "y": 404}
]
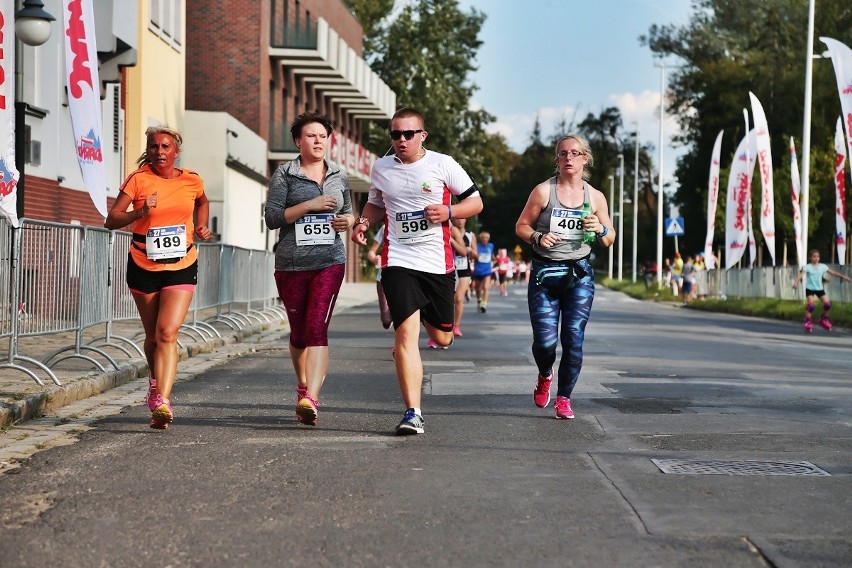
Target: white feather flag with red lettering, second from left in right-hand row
[{"x": 738, "y": 203}]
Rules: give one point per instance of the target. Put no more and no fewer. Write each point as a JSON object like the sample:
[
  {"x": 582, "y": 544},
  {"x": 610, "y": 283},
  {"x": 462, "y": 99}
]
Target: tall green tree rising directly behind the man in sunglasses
[{"x": 426, "y": 54}]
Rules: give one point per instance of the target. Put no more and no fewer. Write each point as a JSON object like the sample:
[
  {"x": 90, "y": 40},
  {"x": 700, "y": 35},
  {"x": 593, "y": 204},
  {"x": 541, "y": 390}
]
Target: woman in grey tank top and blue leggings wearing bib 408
[{"x": 562, "y": 280}]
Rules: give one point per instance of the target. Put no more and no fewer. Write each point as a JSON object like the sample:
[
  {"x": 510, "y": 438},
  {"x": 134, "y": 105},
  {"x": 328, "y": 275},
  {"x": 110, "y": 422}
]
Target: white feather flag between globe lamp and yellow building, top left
[{"x": 84, "y": 96}]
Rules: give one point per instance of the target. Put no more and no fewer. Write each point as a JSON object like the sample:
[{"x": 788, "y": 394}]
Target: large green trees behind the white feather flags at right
[{"x": 731, "y": 47}]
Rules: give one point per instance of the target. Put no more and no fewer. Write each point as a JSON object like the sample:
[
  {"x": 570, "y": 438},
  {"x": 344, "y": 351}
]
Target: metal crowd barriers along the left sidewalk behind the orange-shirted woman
[{"x": 67, "y": 279}]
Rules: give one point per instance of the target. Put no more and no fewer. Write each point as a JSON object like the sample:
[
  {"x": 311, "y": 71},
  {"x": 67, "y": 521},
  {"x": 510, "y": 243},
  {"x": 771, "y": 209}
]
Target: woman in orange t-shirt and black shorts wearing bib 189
[{"x": 169, "y": 208}]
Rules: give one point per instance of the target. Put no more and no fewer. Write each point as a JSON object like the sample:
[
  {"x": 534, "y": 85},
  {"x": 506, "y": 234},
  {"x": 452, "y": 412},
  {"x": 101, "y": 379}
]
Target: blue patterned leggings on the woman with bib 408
[{"x": 565, "y": 290}]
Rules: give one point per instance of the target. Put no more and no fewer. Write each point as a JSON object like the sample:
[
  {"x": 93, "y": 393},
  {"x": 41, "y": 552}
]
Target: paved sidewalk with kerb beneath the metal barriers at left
[{"x": 22, "y": 398}]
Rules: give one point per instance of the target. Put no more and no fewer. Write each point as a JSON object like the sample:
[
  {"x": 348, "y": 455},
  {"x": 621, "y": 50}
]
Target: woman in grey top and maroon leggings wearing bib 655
[{"x": 309, "y": 202}]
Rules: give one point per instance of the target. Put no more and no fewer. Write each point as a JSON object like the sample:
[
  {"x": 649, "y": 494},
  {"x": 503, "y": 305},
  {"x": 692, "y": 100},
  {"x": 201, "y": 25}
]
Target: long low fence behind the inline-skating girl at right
[{"x": 769, "y": 282}]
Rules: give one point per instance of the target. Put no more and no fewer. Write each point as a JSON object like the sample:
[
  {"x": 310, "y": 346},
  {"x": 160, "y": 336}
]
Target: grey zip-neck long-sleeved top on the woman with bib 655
[{"x": 288, "y": 187}]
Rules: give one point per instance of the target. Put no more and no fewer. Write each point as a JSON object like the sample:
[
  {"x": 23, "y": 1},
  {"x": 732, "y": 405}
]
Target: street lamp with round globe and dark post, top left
[{"x": 32, "y": 27}]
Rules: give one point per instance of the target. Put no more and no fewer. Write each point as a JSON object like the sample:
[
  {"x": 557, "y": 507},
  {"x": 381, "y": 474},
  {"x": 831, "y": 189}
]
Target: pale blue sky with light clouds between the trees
[{"x": 555, "y": 58}]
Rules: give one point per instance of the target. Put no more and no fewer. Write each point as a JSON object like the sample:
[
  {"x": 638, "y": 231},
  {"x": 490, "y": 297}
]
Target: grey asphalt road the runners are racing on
[{"x": 494, "y": 481}]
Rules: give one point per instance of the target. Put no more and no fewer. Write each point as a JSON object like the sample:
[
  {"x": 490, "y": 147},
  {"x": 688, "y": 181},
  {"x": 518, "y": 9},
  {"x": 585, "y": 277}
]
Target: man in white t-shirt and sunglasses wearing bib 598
[{"x": 412, "y": 193}]
